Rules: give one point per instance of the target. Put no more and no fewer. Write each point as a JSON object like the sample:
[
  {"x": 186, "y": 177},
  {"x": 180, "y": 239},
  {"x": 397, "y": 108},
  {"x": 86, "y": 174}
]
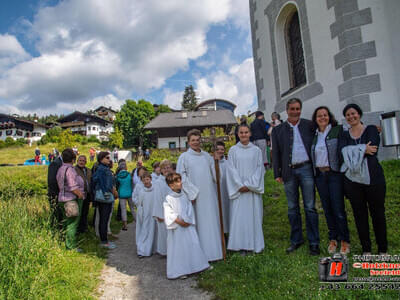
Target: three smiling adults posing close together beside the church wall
[{"x": 340, "y": 161}]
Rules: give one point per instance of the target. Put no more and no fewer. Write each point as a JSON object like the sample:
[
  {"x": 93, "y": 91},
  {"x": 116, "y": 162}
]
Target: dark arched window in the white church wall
[{"x": 297, "y": 70}]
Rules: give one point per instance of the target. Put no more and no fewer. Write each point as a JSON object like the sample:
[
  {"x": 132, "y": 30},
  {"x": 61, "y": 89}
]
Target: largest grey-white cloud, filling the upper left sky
[{"x": 90, "y": 48}]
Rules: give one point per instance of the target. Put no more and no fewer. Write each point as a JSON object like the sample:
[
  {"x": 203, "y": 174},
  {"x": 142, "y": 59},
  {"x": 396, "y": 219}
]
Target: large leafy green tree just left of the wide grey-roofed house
[{"x": 131, "y": 120}]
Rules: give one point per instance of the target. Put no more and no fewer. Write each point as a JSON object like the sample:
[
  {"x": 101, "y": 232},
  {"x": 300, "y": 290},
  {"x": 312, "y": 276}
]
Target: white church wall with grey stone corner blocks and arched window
[{"x": 327, "y": 52}]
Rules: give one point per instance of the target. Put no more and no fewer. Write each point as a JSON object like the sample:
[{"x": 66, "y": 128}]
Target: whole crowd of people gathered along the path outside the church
[{"x": 177, "y": 213}]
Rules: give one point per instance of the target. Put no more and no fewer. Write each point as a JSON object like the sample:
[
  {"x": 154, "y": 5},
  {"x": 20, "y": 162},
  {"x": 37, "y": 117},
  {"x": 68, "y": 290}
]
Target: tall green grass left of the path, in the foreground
[{"x": 34, "y": 263}]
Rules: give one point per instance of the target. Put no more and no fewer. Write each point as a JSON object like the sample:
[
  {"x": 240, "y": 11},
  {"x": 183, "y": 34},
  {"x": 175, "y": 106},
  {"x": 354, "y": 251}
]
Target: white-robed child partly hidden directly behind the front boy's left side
[{"x": 158, "y": 210}]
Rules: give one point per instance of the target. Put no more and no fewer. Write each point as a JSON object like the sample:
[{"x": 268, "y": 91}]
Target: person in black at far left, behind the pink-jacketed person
[{"x": 53, "y": 190}]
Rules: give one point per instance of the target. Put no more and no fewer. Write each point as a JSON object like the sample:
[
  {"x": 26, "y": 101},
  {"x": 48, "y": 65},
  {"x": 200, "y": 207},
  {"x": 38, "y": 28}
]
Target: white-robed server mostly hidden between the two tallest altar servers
[{"x": 220, "y": 155}]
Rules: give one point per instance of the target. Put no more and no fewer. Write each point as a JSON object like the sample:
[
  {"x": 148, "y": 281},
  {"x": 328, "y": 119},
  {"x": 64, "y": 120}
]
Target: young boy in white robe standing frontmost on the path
[{"x": 185, "y": 255}]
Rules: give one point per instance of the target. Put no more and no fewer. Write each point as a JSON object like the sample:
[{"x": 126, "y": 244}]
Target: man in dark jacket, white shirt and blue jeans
[{"x": 292, "y": 166}]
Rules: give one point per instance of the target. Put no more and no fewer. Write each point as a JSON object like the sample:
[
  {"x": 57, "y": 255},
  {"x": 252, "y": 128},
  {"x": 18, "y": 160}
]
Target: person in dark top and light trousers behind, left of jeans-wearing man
[{"x": 259, "y": 134}]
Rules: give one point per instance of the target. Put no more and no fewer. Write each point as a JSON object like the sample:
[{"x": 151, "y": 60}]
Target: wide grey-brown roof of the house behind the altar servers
[{"x": 192, "y": 119}]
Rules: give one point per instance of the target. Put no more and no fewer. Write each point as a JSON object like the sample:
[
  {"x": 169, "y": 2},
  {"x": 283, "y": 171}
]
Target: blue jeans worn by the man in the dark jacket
[{"x": 302, "y": 178}]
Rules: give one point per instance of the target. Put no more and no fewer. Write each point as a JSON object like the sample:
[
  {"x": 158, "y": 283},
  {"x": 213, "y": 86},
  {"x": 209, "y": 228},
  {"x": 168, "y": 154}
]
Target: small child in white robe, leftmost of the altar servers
[{"x": 144, "y": 198}]
